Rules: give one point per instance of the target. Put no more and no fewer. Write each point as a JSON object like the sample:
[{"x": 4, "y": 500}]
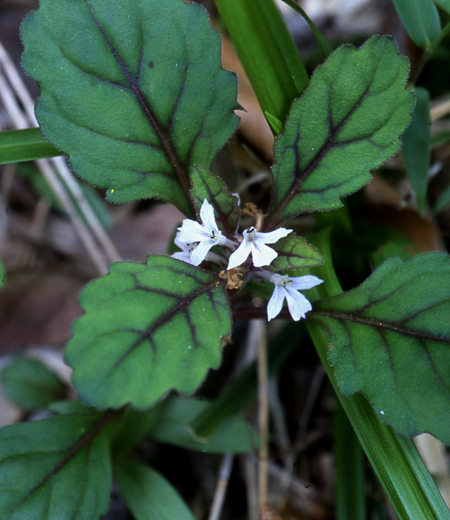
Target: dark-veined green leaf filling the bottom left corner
[{"x": 56, "y": 468}]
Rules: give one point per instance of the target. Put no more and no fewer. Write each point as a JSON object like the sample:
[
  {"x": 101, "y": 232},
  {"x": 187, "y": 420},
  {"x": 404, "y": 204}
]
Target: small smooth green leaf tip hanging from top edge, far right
[{"x": 421, "y": 20}]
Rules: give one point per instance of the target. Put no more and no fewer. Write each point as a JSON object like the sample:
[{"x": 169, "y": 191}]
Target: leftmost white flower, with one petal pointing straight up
[{"x": 206, "y": 235}]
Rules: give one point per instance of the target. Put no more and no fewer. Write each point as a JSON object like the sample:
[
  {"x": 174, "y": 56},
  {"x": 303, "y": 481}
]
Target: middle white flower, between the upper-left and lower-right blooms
[{"x": 254, "y": 243}]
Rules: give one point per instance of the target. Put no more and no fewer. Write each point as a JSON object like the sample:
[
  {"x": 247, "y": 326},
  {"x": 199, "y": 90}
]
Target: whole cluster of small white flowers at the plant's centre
[{"x": 196, "y": 241}]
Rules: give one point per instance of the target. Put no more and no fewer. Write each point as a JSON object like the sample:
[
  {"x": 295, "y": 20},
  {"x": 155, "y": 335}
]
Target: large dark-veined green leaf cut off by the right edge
[{"x": 389, "y": 338}]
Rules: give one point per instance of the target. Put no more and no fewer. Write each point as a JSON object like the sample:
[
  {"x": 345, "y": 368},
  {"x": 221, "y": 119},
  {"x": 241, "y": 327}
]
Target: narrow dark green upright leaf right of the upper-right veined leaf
[{"x": 416, "y": 146}]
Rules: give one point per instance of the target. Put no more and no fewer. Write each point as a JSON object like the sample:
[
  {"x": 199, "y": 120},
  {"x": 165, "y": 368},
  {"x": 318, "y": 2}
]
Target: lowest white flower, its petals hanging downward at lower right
[{"x": 286, "y": 287}]
